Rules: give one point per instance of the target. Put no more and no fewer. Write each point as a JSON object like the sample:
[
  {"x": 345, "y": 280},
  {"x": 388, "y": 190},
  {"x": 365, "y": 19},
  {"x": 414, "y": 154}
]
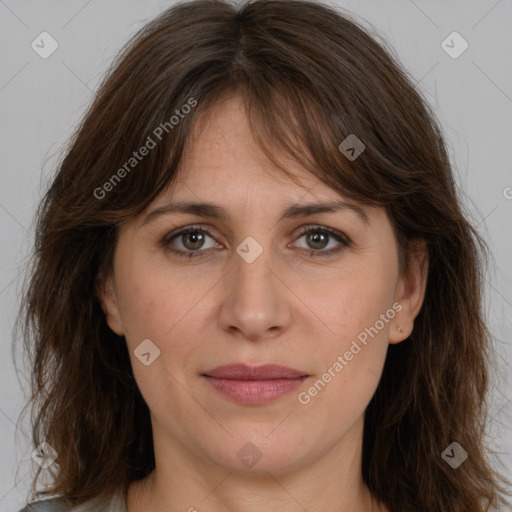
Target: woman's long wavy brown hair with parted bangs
[{"x": 309, "y": 77}]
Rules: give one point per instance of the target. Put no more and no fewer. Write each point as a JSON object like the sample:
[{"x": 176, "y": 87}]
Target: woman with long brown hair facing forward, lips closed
[{"x": 193, "y": 347}]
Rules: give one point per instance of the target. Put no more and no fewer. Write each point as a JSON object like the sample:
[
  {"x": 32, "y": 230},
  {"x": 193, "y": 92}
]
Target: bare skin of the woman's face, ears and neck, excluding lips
[{"x": 286, "y": 307}]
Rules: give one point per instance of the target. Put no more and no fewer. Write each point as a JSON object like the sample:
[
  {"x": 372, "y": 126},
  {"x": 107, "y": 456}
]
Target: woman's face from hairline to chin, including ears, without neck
[{"x": 320, "y": 294}]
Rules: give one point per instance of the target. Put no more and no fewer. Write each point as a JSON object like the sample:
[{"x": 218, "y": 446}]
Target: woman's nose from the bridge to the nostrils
[{"x": 256, "y": 302}]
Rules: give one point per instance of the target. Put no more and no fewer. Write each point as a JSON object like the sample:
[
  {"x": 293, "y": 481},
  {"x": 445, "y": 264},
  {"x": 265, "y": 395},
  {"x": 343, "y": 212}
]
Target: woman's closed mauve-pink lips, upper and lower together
[{"x": 254, "y": 385}]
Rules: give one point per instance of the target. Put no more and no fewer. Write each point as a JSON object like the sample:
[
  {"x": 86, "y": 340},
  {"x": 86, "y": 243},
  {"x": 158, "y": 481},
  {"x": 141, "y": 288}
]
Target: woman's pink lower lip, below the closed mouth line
[{"x": 255, "y": 392}]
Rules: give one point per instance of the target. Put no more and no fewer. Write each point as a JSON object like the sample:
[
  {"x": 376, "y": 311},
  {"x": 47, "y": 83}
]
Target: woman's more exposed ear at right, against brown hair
[{"x": 410, "y": 292}]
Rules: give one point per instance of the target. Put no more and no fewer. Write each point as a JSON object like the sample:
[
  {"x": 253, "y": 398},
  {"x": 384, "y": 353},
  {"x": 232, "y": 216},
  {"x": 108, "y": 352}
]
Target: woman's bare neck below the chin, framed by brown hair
[{"x": 185, "y": 482}]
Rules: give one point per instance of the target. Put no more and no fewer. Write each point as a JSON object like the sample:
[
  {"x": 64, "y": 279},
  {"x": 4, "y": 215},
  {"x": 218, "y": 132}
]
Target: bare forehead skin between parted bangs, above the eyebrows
[{"x": 221, "y": 153}]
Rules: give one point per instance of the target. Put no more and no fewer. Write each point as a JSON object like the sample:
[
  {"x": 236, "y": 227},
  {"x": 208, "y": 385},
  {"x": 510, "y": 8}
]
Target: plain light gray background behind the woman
[{"x": 42, "y": 100}]
